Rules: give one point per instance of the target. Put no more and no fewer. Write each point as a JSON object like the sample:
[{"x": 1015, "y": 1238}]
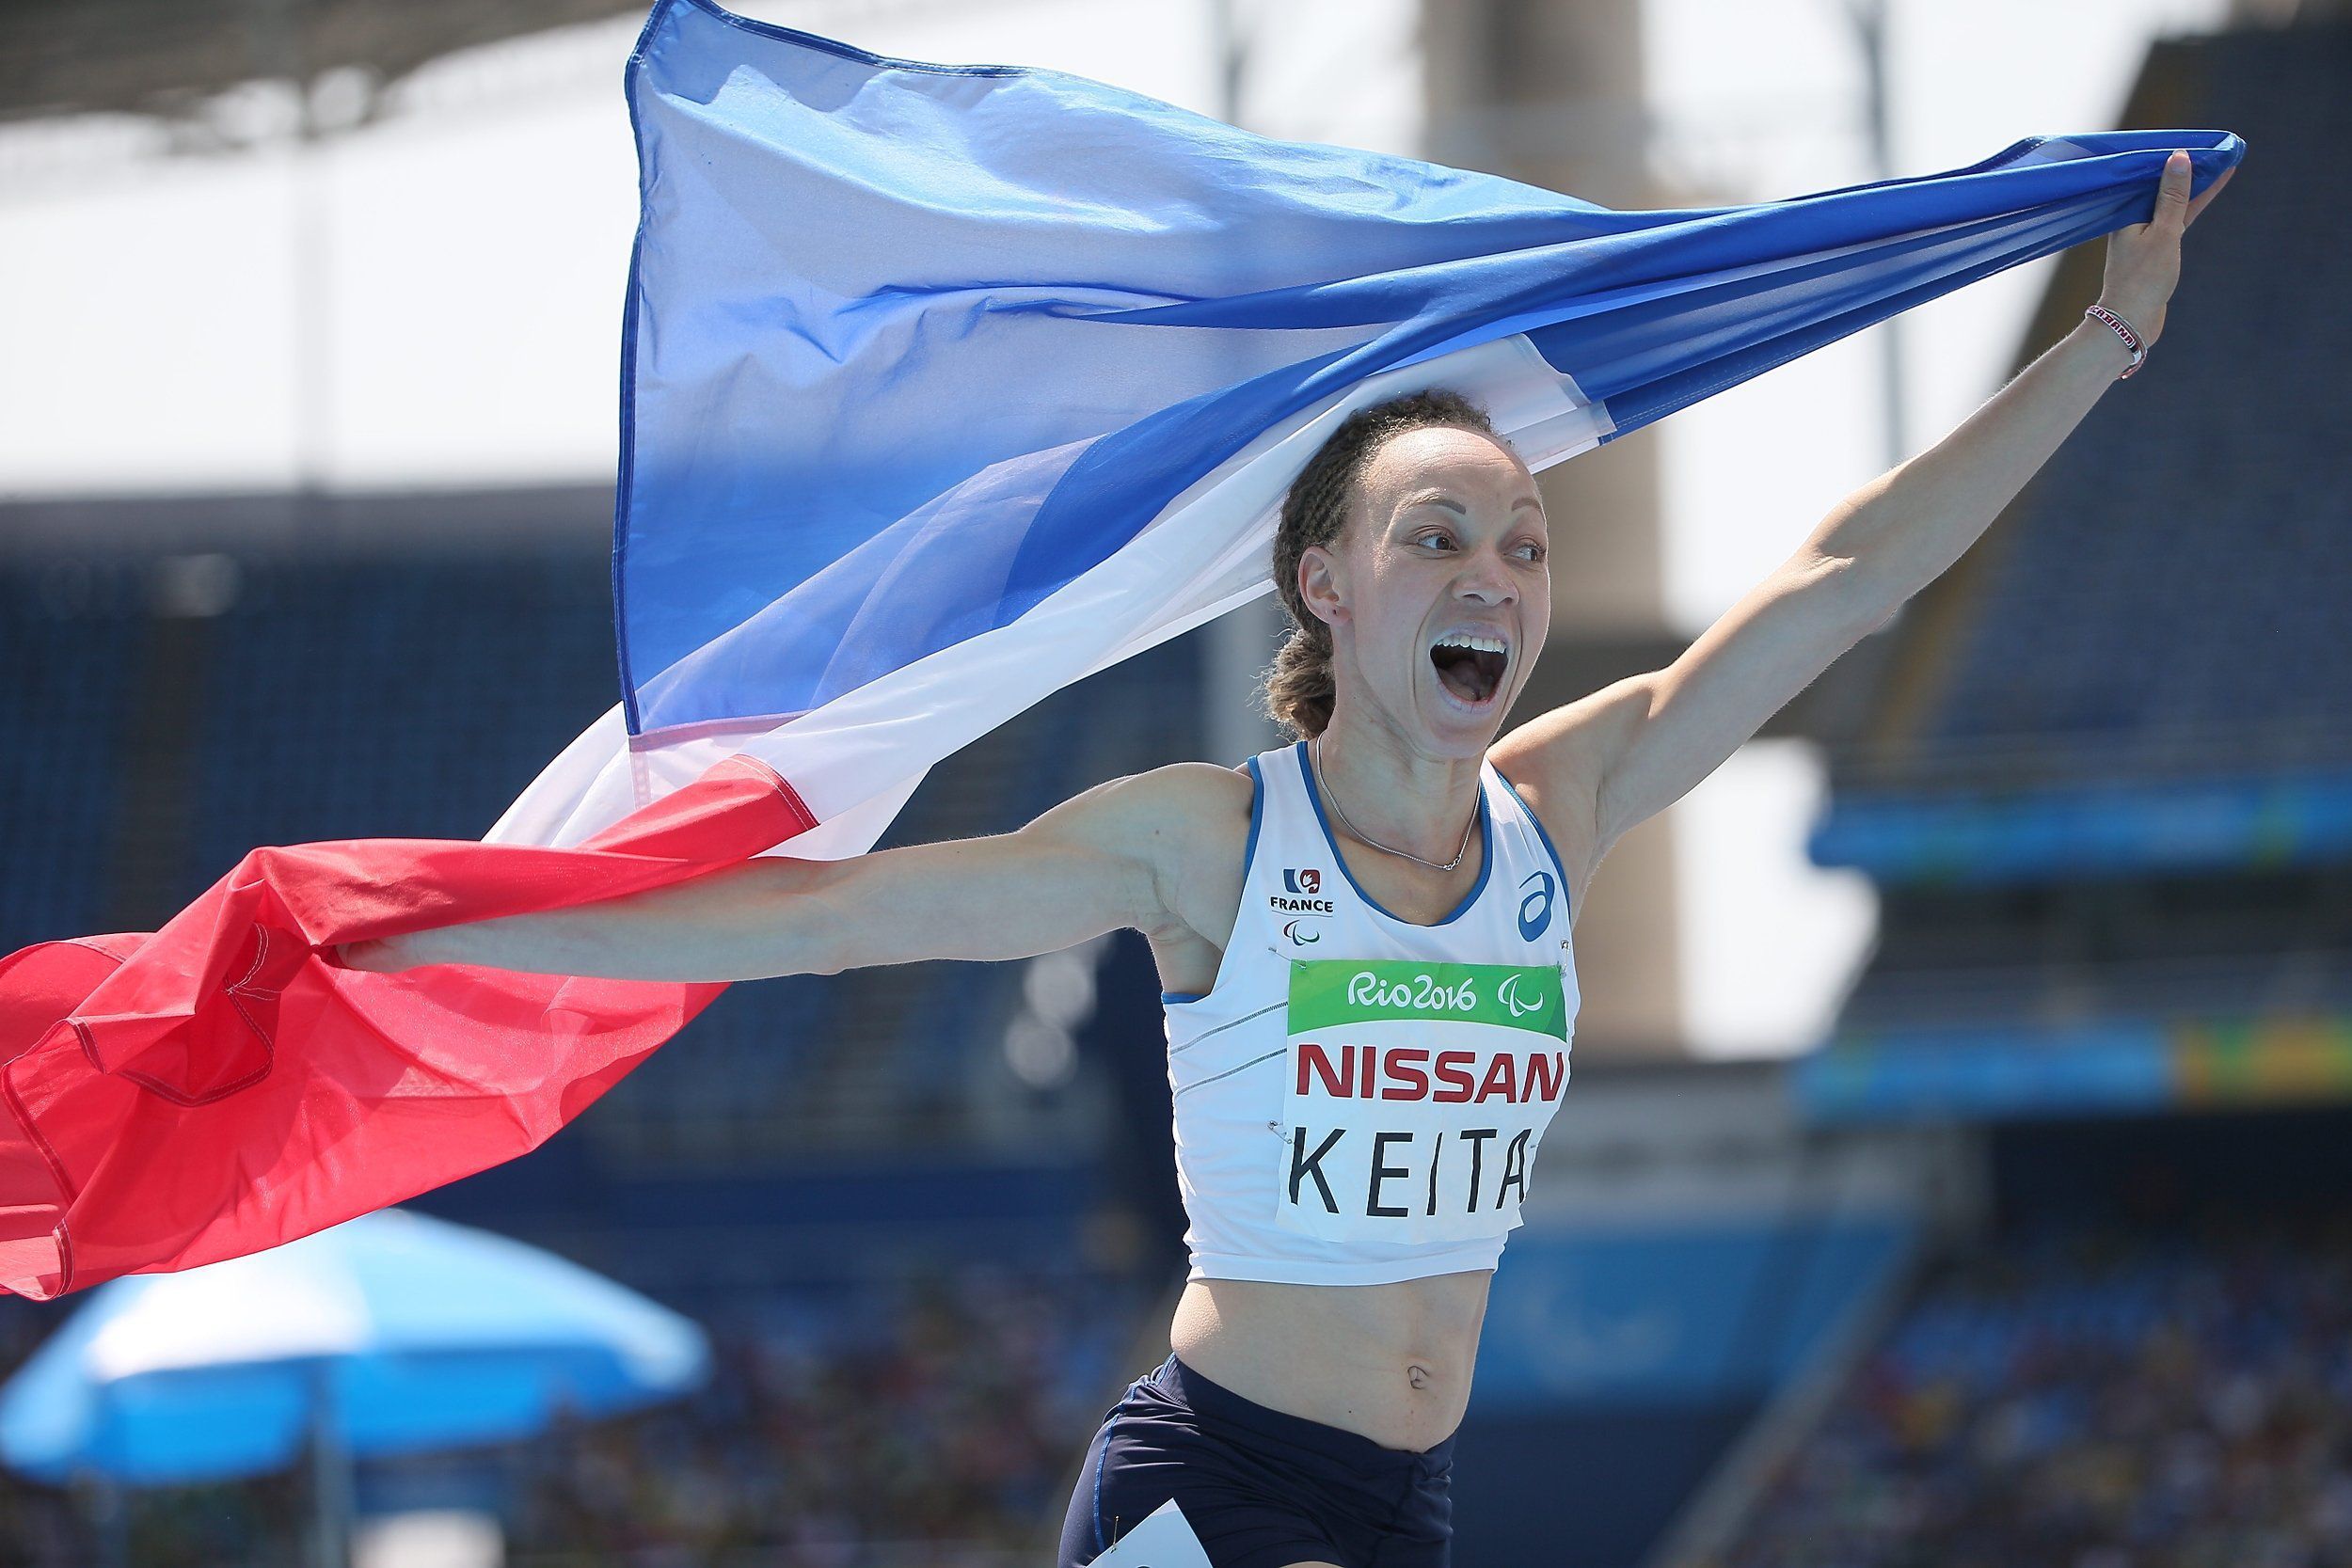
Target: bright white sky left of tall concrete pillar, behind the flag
[{"x": 474, "y": 250}]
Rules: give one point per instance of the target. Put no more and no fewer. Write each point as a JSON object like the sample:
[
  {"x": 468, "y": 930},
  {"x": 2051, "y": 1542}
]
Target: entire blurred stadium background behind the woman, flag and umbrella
[{"x": 1960, "y": 1144}]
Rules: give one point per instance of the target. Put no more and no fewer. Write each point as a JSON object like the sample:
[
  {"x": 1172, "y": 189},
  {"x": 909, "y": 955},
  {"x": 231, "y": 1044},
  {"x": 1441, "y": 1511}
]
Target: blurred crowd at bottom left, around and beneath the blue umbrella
[{"x": 930, "y": 1423}]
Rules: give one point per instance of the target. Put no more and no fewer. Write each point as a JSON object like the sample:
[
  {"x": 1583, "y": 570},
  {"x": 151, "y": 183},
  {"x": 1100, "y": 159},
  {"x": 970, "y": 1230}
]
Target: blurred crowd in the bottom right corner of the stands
[{"x": 2094, "y": 1400}]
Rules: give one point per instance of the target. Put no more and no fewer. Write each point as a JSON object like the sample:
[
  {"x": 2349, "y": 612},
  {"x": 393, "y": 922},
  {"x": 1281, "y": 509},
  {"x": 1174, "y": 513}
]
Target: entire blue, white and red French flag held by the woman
[{"x": 944, "y": 387}]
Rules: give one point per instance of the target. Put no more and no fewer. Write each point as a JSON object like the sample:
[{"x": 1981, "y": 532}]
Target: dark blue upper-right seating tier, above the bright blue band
[{"x": 2170, "y": 596}]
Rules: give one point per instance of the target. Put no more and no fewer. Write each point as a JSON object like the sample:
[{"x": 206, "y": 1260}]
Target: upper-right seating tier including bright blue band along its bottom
[{"x": 2141, "y": 664}]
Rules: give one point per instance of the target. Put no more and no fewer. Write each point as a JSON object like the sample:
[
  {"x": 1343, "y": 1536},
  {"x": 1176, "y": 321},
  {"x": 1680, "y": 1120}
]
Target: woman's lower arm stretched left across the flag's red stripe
[{"x": 1093, "y": 864}]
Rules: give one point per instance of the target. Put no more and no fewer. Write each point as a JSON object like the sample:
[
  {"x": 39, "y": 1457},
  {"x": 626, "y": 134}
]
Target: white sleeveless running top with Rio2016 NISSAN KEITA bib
[{"x": 1361, "y": 1099}]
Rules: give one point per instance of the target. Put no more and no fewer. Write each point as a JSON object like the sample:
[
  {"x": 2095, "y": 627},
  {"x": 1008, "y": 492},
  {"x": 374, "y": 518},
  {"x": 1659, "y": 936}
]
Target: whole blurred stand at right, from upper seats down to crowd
[{"x": 2104, "y": 798}]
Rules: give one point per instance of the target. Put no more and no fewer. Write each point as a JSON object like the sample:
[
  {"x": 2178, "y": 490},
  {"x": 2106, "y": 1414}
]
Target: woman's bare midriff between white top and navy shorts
[{"x": 1387, "y": 1362}]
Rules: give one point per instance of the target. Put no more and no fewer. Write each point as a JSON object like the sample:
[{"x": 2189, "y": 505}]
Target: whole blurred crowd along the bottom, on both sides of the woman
[{"x": 2059, "y": 1400}]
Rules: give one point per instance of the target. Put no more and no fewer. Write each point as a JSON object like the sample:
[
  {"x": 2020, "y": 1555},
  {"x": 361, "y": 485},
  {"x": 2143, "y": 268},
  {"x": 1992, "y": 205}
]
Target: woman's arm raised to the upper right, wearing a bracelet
[{"x": 1643, "y": 744}]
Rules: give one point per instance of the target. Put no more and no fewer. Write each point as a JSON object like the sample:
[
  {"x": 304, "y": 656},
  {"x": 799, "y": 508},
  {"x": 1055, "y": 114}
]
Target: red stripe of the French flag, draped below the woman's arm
[{"x": 222, "y": 1087}]
